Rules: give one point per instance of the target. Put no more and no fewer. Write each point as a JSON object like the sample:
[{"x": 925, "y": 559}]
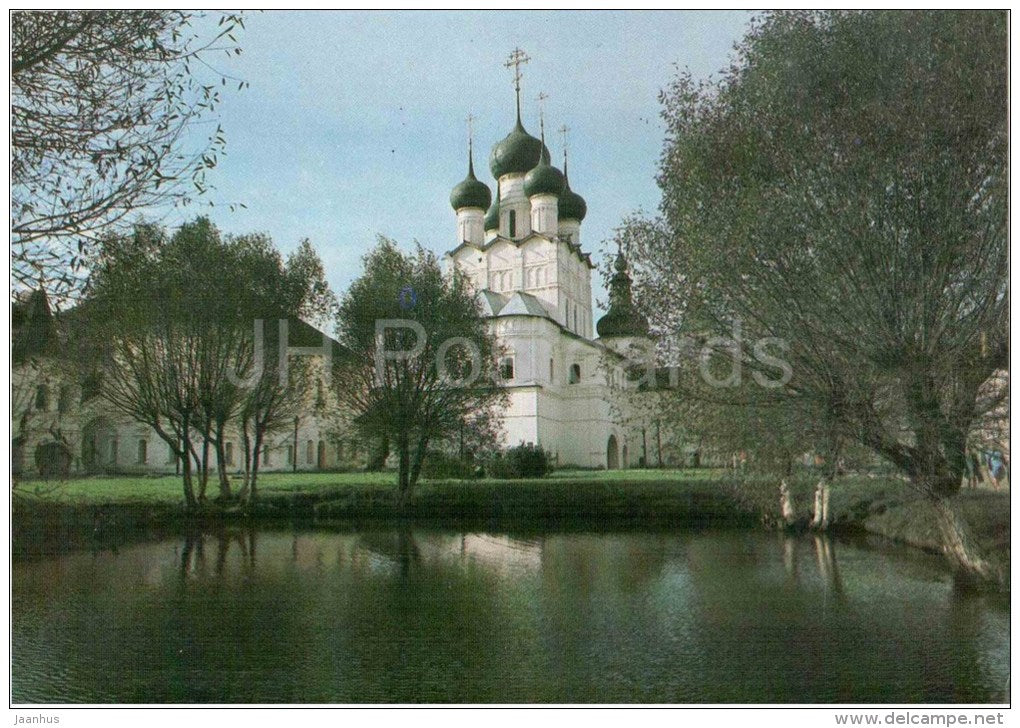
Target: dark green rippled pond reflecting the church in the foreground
[{"x": 434, "y": 616}]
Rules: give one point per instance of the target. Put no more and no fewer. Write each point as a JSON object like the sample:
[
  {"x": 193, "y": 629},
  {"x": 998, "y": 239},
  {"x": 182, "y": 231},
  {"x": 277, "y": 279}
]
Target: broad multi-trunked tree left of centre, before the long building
[{"x": 174, "y": 325}]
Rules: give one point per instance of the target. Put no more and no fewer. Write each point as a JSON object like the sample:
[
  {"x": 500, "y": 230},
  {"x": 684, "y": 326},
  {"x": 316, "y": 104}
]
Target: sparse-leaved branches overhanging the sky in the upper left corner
[{"x": 104, "y": 113}]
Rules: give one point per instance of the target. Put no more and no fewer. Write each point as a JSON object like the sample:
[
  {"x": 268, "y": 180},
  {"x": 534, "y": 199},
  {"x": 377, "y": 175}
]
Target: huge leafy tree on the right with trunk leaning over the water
[{"x": 841, "y": 191}]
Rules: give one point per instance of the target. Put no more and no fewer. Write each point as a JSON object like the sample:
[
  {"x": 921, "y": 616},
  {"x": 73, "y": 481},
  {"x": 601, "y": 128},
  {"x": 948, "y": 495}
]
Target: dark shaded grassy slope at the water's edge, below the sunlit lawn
[{"x": 880, "y": 508}]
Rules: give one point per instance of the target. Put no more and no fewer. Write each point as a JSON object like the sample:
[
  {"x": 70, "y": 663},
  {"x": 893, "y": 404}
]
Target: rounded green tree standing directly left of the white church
[{"x": 418, "y": 359}]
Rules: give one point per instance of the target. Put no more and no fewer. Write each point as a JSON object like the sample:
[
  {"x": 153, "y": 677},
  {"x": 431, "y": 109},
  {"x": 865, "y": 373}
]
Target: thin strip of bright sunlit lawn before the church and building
[{"x": 168, "y": 489}]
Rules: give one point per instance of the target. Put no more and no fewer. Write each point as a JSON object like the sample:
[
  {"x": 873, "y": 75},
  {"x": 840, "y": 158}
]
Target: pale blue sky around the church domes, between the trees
[{"x": 354, "y": 123}]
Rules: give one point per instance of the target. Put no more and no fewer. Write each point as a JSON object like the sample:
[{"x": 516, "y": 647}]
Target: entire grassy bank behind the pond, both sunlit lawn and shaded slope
[{"x": 84, "y": 513}]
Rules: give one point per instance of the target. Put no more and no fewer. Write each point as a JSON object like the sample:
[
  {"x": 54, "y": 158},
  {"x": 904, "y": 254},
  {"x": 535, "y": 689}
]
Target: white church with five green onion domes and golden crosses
[{"x": 522, "y": 249}]
